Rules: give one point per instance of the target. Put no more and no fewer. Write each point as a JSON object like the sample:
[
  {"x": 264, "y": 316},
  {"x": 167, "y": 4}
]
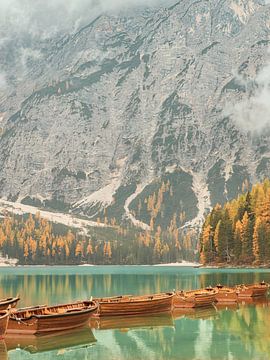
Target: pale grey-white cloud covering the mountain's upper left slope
[{"x": 27, "y": 25}]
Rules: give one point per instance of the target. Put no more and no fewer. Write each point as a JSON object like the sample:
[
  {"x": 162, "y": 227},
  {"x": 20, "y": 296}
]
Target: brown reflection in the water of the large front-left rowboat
[{"x": 50, "y": 341}]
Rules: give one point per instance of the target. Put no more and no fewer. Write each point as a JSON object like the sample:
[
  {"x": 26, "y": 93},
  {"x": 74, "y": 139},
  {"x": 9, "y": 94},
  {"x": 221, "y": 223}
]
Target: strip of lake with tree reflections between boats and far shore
[{"x": 61, "y": 286}]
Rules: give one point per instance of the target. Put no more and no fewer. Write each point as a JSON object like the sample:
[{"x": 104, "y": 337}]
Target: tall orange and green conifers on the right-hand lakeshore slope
[{"x": 239, "y": 232}]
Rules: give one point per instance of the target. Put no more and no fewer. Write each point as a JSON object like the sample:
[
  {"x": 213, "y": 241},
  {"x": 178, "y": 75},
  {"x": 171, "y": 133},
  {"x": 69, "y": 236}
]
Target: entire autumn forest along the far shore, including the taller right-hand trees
[{"x": 237, "y": 233}]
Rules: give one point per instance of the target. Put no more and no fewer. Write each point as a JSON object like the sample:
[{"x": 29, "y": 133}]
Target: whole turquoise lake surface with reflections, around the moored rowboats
[{"x": 238, "y": 333}]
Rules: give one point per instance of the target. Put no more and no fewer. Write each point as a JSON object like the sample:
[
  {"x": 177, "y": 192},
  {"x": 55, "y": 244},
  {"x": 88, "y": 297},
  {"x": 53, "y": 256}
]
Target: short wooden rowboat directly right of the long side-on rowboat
[{"x": 194, "y": 298}]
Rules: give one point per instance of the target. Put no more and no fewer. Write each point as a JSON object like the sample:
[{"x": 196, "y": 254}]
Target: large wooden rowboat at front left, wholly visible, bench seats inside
[{"x": 41, "y": 319}]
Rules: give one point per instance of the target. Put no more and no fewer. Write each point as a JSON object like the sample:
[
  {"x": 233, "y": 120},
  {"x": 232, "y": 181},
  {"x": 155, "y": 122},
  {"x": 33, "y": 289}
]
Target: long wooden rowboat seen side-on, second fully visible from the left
[{"x": 135, "y": 305}]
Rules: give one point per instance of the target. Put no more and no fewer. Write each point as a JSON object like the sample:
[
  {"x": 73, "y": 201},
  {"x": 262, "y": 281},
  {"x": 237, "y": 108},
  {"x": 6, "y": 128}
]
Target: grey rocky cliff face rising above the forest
[{"x": 133, "y": 101}]
